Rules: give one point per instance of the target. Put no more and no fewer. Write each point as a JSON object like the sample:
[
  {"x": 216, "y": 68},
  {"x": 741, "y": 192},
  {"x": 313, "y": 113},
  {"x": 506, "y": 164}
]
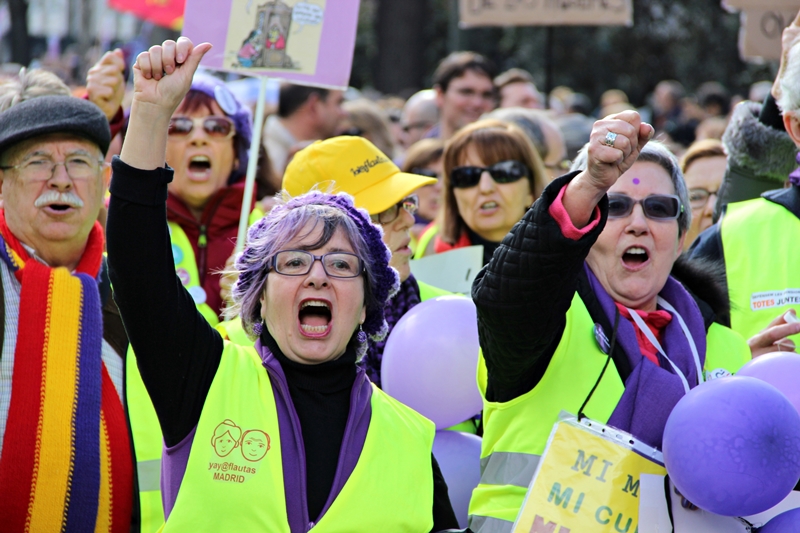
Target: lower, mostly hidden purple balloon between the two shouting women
[{"x": 459, "y": 458}]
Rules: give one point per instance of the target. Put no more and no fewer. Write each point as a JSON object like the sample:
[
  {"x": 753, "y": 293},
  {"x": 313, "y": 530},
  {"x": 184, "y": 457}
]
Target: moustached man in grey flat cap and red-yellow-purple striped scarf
[{"x": 66, "y": 462}]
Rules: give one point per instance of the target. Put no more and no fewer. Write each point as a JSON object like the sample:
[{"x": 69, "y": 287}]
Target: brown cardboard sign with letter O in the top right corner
[{"x": 760, "y": 33}]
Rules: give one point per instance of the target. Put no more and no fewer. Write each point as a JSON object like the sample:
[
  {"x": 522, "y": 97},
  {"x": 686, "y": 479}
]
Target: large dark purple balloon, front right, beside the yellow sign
[{"x": 732, "y": 446}]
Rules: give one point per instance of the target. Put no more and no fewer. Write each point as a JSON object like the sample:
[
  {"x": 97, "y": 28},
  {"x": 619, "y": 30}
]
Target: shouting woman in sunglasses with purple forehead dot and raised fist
[{"x": 578, "y": 311}]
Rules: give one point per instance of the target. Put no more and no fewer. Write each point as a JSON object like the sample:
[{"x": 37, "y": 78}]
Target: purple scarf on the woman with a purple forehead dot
[{"x": 652, "y": 391}]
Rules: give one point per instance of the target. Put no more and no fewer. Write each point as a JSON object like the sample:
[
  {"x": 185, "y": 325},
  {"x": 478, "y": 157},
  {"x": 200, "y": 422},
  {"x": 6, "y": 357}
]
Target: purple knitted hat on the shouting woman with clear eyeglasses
[{"x": 384, "y": 281}]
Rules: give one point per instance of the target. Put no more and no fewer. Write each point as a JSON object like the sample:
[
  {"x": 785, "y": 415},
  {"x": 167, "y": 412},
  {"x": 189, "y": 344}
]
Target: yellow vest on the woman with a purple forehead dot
[{"x": 516, "y": 432}]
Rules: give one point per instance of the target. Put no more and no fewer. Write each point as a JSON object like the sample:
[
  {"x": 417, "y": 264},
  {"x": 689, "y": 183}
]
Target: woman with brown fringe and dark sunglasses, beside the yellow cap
[{"x": 492, "y": 174}]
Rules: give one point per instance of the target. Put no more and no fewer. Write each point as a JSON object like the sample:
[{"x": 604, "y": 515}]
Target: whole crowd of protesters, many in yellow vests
[{"x": 628, "y": 256}]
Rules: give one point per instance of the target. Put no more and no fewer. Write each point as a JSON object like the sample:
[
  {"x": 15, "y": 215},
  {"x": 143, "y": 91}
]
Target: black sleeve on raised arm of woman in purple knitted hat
[{"x": 177, "y": 351}]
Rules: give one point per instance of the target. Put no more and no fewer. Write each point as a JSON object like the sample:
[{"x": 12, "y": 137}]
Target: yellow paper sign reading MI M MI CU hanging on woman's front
[{"x": 586, "y": 482}]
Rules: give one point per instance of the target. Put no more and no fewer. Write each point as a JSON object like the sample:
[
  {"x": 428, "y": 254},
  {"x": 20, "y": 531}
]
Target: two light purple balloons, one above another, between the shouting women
[{"x": 429, "y": 363}]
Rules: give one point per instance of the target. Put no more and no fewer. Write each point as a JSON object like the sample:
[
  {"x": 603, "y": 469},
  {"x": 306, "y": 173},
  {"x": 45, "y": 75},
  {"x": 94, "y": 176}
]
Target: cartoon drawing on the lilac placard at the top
[{"x": 280, "y": 34}]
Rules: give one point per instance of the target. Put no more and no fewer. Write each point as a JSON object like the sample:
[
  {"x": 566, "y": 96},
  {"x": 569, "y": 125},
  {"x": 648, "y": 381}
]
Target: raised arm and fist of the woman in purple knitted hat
[{"x": 177, "y": 351}]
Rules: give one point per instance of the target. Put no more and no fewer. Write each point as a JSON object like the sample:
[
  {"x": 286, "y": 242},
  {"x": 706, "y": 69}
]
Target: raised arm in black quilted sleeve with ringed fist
[{"x": 524, "y": 292}]
